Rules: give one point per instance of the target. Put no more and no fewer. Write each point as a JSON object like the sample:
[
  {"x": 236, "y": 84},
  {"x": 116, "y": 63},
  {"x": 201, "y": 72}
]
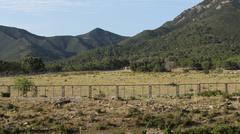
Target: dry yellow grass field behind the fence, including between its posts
[{"x": 125, "y": 78}]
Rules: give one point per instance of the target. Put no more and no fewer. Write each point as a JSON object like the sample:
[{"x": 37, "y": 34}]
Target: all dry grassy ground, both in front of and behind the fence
[{"x": 125, "y": 115}]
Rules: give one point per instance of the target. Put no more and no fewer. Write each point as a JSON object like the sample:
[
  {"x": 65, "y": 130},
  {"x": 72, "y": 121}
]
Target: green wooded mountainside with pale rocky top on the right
[{"x": 206, "y": 32}]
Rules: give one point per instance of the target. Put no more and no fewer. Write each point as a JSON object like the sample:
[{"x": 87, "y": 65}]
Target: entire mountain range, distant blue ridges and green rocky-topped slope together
[{"x": 209, "y": 30}]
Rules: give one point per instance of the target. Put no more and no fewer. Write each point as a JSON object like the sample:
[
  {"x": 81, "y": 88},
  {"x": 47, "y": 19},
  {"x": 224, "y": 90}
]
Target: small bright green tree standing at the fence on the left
[{"x": 24, "y": 85}]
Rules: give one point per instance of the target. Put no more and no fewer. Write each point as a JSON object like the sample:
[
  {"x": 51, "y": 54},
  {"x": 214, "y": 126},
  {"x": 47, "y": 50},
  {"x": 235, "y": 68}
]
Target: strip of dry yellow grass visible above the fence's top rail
[{"x": 122, "y": 77}]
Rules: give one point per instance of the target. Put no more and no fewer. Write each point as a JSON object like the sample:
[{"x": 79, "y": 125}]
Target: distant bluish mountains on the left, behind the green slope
[{"x": 16, "y": 43}]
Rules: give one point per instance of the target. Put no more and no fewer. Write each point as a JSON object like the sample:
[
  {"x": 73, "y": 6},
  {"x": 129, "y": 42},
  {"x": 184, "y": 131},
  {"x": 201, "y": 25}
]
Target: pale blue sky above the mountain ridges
[{"x": 75, "y": 17}]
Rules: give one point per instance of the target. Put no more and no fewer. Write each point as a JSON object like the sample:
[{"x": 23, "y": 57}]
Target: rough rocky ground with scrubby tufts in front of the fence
[{"x": 42, "y": 115}]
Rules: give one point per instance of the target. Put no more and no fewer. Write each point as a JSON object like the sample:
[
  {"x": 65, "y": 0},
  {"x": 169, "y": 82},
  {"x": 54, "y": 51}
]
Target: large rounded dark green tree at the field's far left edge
[{"x": 32, "y": 64}]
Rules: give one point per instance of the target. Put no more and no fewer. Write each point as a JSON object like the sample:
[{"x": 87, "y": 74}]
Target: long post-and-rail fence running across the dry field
[{"x": 120, "y": 90}]
